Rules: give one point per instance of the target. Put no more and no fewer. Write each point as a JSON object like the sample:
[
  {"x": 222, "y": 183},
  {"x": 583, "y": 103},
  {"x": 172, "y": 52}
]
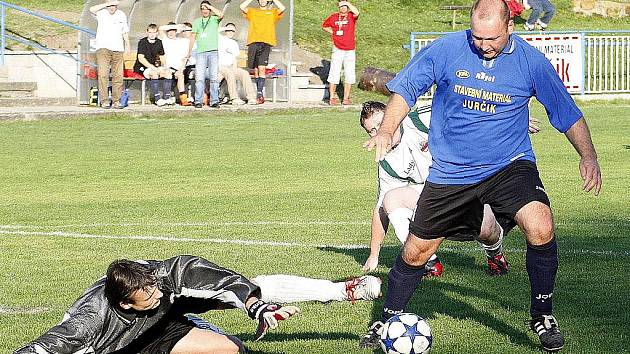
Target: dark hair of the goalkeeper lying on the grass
[{"x": 124, "y": 277}]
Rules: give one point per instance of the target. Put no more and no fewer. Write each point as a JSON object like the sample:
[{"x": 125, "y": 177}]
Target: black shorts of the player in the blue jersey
[{"x": 456, "y": 211}]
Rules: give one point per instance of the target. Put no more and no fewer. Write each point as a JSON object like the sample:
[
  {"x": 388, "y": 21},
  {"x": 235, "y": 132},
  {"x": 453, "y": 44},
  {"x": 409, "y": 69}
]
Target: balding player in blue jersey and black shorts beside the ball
[{"x": 482, "y": 153}]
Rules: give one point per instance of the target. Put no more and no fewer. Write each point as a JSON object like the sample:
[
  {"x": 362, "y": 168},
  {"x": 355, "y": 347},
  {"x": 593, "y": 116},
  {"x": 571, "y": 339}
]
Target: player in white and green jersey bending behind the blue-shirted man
[{"x": 401, "y": 177}]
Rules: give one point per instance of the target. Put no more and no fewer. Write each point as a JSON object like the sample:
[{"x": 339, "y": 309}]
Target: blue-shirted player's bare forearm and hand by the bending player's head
[{"x": 395, "y": 112}]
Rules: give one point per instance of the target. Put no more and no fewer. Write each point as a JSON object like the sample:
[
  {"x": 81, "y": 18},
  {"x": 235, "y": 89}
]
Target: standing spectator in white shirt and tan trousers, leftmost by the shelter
[{"x": 112, "y": 39}]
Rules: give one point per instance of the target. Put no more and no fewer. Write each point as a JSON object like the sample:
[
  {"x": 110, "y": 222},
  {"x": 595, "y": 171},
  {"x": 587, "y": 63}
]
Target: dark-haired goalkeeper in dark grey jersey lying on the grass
[{"x": 141, "y": 307}]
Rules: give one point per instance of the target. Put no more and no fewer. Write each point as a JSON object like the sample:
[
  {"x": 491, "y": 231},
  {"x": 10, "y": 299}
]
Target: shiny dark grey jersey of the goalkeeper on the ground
[{"x": 190, "y": 285}]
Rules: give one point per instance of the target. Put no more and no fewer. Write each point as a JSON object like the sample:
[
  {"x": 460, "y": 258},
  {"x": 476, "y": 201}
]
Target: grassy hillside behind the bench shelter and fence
[{"x": 383, "y": 28}]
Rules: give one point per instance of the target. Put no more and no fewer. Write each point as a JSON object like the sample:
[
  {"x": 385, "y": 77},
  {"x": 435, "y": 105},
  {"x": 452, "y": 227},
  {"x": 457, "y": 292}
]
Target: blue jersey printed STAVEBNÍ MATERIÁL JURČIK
[{"x": 480, "y": 115}]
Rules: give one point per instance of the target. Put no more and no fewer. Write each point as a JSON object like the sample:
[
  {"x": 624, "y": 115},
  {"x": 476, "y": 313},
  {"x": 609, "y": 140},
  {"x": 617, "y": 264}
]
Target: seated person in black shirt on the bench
[{"x": 150, "y": 63}]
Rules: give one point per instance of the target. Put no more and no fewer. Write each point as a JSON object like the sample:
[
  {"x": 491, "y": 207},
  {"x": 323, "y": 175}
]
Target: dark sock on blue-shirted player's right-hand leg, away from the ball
[{"x": 542, "y": 265}]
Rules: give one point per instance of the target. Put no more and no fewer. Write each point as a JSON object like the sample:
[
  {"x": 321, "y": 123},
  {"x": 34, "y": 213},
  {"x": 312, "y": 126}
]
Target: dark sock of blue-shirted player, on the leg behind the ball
[{"x": 403, "y": 281}]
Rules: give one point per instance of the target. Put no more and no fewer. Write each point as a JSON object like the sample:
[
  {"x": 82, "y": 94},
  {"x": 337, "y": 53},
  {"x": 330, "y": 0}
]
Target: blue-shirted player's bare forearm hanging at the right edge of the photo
[{"x": 580, "y": 138}]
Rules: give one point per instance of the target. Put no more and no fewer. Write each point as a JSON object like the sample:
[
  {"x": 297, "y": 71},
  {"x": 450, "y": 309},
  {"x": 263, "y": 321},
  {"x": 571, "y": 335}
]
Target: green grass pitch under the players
[{"x": 76, "y": 194}]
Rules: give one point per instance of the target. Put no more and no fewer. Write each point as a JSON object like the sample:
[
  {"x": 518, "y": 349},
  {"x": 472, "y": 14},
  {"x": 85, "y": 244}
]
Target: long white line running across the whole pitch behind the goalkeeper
[{"x": 624, "y": 253}]
